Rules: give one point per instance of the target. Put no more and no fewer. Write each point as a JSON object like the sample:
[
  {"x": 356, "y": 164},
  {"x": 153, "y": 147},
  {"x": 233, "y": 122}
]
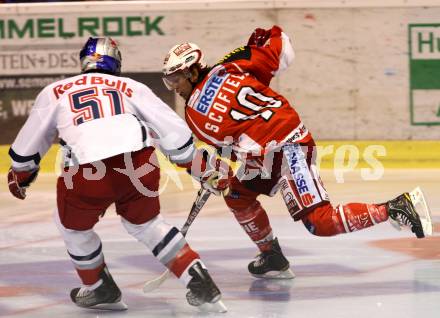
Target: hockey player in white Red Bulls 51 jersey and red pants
[{"x": 109, "y": 126}]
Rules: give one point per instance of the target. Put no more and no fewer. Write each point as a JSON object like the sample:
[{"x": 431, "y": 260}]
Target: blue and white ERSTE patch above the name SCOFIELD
[{"x": 202, "y": 101}]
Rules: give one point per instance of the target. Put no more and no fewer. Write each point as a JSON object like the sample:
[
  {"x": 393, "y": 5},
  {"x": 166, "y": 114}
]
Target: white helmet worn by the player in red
[{"x": 181, "y": 57}]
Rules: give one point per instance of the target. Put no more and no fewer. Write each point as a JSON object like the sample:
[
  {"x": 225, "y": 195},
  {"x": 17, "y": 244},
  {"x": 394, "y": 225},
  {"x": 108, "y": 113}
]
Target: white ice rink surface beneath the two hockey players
[{"x": 376, "y": 273}]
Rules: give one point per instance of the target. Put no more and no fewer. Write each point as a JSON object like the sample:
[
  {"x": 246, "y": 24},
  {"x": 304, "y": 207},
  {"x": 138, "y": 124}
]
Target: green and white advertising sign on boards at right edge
[{"x": 424, "y": 70}]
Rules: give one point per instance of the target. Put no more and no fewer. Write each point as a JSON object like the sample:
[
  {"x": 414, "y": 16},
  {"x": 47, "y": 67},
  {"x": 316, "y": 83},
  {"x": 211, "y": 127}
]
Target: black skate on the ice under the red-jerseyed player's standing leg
[{"x": 271, "y": 264}]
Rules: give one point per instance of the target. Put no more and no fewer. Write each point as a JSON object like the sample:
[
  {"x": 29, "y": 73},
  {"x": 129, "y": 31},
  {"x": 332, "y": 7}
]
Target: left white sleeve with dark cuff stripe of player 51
[{"x": 36, "y": 136}]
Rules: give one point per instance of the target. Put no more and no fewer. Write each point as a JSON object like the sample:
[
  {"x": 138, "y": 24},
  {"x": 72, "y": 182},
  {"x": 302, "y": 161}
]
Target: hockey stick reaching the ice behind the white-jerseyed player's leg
[{"x": 202, "y": 197}]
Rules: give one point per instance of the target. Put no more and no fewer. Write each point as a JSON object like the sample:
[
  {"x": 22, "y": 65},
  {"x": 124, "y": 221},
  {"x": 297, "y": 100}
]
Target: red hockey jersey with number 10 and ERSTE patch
[{"x": 234, "y": 106}]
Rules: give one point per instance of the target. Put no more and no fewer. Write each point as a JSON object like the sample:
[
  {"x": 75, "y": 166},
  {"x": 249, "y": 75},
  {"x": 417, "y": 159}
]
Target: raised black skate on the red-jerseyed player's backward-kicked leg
[{"x": 411, "y": 210}]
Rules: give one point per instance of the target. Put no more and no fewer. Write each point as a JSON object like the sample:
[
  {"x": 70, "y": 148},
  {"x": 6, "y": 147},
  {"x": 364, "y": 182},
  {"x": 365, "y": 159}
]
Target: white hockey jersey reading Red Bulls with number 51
[{"x": 98, "y": 116}]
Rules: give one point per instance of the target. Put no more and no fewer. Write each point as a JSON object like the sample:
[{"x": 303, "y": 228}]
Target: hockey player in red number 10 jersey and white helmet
[{"x": 231, "y": 107}]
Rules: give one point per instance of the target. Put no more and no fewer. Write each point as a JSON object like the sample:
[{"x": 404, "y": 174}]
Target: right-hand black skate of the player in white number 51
[{"x": 203, "y": 292}]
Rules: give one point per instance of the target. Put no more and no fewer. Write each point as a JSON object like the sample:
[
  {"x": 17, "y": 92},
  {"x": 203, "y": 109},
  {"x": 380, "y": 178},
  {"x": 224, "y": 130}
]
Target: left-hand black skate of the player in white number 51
[{"x": 106, "y": 296}]
